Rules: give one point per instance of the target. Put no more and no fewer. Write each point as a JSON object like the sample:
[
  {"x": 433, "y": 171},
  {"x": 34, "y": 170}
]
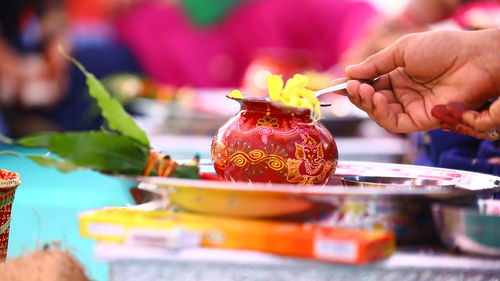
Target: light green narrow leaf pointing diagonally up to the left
[{"x": 118, "y": 119}]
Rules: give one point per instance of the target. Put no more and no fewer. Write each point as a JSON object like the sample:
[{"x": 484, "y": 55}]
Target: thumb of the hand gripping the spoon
[{"x": 382, "y": 62}]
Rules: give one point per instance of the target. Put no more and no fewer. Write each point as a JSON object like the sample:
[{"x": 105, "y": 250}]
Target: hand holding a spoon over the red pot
[{"x": 422, "y": 70}]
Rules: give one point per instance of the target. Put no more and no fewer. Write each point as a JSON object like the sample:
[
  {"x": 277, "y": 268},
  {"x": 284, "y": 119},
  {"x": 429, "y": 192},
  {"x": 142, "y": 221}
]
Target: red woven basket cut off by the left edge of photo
[{"x": 8, "y": 184}]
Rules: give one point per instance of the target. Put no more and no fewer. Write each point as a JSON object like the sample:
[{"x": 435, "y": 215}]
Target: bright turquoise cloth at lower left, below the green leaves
[{"x": 47, "y": 203}]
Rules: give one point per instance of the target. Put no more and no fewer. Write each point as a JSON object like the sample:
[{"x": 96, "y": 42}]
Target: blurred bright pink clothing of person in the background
[{"x": 172, "y": 49}]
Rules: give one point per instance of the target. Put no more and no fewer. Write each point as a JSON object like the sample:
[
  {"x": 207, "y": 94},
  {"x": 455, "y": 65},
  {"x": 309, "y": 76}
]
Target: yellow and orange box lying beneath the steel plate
[{"x": 177, "y": 230}]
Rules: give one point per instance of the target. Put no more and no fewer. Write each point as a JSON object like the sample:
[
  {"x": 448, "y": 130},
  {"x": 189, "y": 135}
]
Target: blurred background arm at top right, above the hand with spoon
[{"x": 424, "y": 15}]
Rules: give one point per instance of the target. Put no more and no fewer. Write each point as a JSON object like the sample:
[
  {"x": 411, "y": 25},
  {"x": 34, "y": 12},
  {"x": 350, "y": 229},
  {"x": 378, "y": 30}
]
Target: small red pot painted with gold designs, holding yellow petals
[{"x": 269, "y": 142}]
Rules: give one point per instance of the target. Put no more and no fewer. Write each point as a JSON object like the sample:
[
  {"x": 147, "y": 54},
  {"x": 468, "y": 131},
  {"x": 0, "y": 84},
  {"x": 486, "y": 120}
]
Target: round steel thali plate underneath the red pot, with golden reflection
[{"x": 402, "y": 208}]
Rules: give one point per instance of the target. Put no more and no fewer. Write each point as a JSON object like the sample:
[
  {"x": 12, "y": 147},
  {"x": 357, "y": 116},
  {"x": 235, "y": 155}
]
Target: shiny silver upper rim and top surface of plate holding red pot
[{"x": 463, "y": 182}]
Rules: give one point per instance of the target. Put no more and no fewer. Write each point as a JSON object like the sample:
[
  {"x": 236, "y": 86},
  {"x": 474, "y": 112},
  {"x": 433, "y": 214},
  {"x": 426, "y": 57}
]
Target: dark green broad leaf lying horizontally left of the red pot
[{"x": 101, "y": 151}]
